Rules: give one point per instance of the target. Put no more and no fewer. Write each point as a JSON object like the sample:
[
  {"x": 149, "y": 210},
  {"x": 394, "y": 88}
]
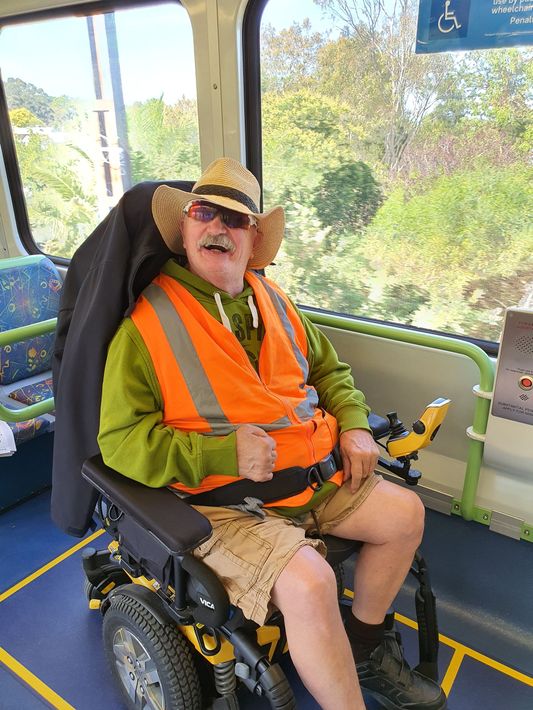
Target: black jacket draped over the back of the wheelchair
[{"x": 105, "y": 277}]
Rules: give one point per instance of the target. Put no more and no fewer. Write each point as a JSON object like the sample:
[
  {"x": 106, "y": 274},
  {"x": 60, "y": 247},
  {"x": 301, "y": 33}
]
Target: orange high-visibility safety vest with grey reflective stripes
[{"x": 209, "y": 386}]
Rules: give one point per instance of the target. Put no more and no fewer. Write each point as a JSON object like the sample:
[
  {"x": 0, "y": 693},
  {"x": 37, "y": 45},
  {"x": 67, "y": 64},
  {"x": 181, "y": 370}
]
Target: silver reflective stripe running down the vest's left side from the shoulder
[{"x": 196, "y": 380}]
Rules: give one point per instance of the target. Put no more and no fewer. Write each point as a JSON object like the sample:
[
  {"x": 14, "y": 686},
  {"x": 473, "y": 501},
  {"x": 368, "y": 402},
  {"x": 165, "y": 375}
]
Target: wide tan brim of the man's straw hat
[{"x": 167, "y": 208}]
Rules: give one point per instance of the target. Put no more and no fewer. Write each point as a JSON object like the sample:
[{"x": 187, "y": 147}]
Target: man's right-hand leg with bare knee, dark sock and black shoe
[{"x": 390, "y": 521}]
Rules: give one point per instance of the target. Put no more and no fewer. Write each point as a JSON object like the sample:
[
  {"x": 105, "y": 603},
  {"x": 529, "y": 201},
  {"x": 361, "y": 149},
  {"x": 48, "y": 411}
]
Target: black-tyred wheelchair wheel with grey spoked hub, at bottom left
[{"x": 151, "y": 661}]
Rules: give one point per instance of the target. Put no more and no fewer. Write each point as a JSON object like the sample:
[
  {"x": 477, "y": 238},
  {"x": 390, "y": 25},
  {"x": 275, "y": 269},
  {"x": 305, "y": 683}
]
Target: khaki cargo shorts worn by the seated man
[{"x": 248, "y": 554}]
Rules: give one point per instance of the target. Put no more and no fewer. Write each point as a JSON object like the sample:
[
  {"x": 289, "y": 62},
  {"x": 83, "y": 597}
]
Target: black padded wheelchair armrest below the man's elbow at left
[{"x": 177, "y": 525}]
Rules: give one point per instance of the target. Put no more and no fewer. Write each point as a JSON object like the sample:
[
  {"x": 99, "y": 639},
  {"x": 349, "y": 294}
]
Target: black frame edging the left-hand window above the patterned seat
[{"x": 7, "y": 140}]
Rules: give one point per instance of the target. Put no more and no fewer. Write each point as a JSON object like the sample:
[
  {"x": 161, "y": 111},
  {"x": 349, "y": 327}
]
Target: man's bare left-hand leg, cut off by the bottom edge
[{"x": 306, "y": 594}]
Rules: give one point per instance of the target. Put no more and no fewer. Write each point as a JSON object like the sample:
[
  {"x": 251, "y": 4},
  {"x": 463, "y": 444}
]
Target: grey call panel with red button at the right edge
[{"x": 513, "y": 390}]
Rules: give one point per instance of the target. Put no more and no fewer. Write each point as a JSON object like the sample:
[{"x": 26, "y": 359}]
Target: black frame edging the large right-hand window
[{"x": 251, "y": 32}]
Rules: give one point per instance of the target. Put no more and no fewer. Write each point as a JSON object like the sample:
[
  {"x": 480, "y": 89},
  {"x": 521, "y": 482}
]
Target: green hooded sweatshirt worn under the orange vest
[{"x": 133, "y": 438}]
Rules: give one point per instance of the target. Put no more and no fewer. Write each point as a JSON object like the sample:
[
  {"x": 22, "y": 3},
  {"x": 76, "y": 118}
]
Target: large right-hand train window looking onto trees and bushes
[{"x": 408, "y": 178}]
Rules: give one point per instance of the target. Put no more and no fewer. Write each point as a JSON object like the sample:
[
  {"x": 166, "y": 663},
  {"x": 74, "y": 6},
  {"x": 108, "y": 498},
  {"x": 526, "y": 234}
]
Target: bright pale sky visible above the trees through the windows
[{"x": 55, "y": 55}]
